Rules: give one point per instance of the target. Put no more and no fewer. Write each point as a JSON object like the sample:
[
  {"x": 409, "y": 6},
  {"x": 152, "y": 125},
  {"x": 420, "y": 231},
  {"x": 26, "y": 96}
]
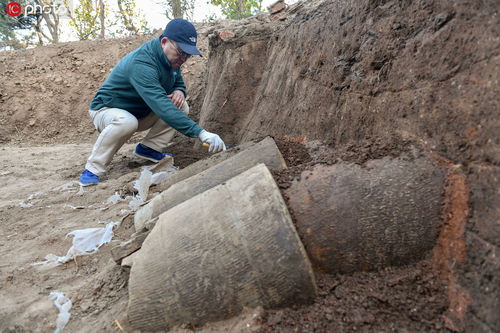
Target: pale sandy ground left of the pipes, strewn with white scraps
[{"x": 28, "y": 234}]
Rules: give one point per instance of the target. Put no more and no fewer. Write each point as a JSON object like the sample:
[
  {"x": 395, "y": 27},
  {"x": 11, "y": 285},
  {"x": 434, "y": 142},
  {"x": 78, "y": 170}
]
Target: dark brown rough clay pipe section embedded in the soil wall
[{"x": 352, "y": 218}]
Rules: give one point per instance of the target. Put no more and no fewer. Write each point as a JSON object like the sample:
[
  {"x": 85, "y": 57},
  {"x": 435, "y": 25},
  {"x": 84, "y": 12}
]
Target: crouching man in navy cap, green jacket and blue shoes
[{"x": 145, "y": 90}]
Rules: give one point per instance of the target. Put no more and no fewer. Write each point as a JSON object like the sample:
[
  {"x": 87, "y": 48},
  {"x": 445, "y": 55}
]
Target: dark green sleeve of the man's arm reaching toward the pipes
[{"x": 145, "y": 80}]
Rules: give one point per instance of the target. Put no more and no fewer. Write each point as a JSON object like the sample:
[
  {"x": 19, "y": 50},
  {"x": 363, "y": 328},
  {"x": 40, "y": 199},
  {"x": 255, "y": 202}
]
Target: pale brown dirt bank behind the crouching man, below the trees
[{"x": 45, "y": 92}]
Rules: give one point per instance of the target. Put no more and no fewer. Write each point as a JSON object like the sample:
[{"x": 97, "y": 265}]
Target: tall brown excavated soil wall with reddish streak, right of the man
[{"x": 348, "y": 72}]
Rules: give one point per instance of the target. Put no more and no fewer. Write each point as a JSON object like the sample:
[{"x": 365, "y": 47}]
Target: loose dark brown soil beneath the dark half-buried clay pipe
[{"x": 406, "y": 299}]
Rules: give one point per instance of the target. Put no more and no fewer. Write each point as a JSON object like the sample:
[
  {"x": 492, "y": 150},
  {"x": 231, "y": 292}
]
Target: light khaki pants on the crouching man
[{"x": 116, "y": 126}]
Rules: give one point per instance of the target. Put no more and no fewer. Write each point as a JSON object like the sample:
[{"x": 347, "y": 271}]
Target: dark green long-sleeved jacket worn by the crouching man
[{"x": 140, "y": 83}]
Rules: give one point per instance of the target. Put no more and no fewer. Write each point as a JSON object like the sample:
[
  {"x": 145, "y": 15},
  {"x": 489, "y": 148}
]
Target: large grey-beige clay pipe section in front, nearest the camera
[{"x": 230, "y": 247}]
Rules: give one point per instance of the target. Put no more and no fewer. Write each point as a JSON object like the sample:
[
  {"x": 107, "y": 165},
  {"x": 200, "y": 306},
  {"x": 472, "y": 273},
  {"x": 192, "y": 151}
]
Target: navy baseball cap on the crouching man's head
[{"x": 184, "y": 34}]
